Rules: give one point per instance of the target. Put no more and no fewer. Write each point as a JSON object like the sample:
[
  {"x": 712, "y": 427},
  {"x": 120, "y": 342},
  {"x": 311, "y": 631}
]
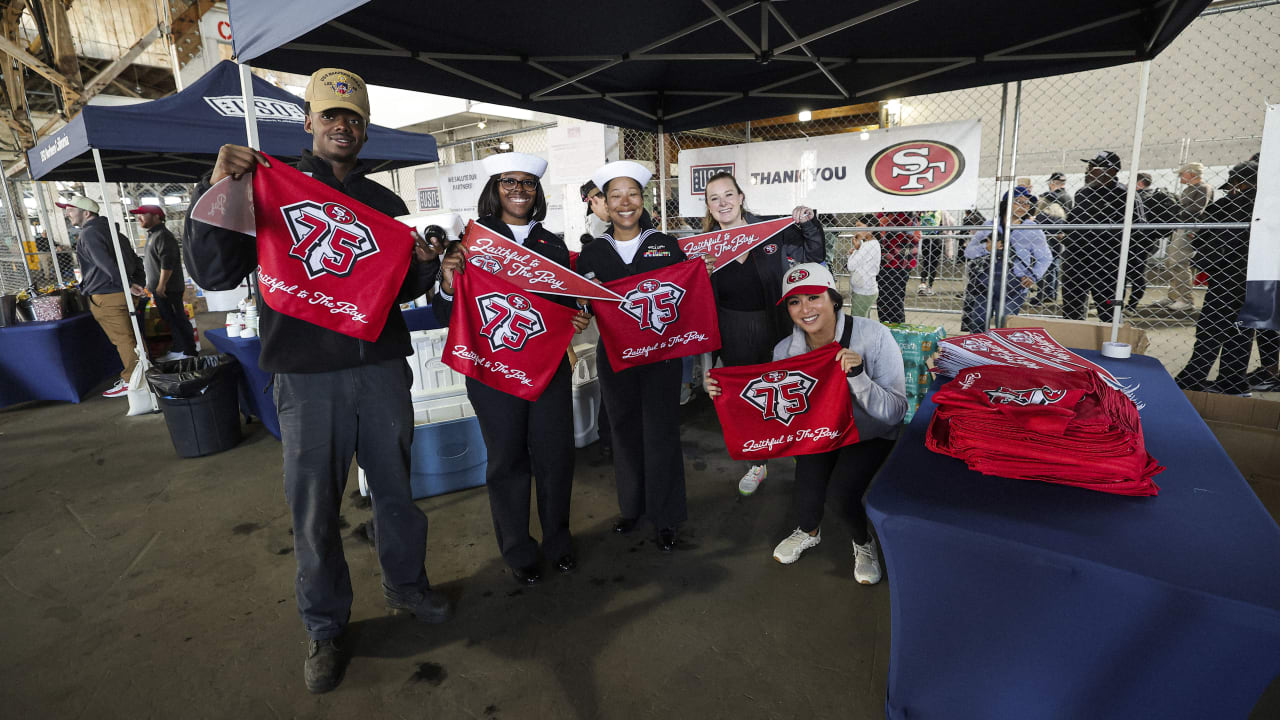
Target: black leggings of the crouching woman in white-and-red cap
[{"x": 845, "y": 473}]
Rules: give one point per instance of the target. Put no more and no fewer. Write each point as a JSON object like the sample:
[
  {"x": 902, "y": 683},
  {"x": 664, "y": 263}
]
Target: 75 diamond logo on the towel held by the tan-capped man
[{"x": 327, "y": 239}]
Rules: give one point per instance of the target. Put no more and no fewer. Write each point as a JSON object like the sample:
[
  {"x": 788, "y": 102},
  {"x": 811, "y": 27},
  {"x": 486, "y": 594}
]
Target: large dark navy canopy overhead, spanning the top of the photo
[{"x": 685, "y": 66}]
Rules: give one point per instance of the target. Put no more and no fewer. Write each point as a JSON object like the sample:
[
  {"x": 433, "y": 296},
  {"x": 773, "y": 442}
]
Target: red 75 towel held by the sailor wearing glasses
[{"x": 506, "y": 338}]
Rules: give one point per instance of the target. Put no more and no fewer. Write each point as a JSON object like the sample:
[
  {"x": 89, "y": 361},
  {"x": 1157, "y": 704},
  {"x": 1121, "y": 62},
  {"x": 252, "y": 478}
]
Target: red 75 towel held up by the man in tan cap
[{"x": 326, "y": 258}]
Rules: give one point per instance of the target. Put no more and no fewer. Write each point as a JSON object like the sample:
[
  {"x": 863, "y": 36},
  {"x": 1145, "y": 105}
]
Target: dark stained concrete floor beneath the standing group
[{"x": 138, "y": 585}]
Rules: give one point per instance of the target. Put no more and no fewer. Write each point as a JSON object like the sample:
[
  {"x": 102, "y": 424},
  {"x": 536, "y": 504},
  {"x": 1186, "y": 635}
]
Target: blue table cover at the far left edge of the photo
[{"x": 54, "y": 361}]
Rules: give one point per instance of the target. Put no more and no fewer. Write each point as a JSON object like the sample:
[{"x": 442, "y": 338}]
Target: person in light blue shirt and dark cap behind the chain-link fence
[{"x": 1028, "y": 261}]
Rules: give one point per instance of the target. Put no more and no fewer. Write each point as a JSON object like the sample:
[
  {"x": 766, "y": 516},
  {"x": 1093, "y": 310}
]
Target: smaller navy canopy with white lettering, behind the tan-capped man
[{"x": 179, "y": 138}]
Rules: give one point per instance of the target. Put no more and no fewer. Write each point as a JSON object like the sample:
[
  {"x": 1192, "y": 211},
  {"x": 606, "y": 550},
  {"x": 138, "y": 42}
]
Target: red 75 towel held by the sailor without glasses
[{"x": 664, "y": 315}]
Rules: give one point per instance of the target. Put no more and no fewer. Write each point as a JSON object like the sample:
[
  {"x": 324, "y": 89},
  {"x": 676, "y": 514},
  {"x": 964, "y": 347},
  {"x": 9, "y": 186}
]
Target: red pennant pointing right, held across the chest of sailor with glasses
[{"x": 524, "y": 268}]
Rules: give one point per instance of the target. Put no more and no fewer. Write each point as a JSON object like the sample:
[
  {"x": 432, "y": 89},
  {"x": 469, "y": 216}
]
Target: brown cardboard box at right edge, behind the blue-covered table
[{"x": 1249, "y": 430}]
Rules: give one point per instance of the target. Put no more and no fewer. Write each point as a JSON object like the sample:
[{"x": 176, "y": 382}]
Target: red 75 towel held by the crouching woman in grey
[{"x": 796, "y": 407}]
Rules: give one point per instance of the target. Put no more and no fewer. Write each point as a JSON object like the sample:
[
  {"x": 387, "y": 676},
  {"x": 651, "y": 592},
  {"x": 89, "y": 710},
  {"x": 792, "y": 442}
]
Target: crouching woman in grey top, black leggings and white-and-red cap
[{"x": 877, "y": 382}]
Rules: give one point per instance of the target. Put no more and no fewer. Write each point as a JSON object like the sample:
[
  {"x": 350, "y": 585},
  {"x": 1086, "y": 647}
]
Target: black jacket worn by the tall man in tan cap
[{"x": 220, "y": 259}]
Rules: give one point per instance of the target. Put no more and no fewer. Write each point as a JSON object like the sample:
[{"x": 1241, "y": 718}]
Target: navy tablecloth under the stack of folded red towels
[{"x": 1025, "y": 600}]
